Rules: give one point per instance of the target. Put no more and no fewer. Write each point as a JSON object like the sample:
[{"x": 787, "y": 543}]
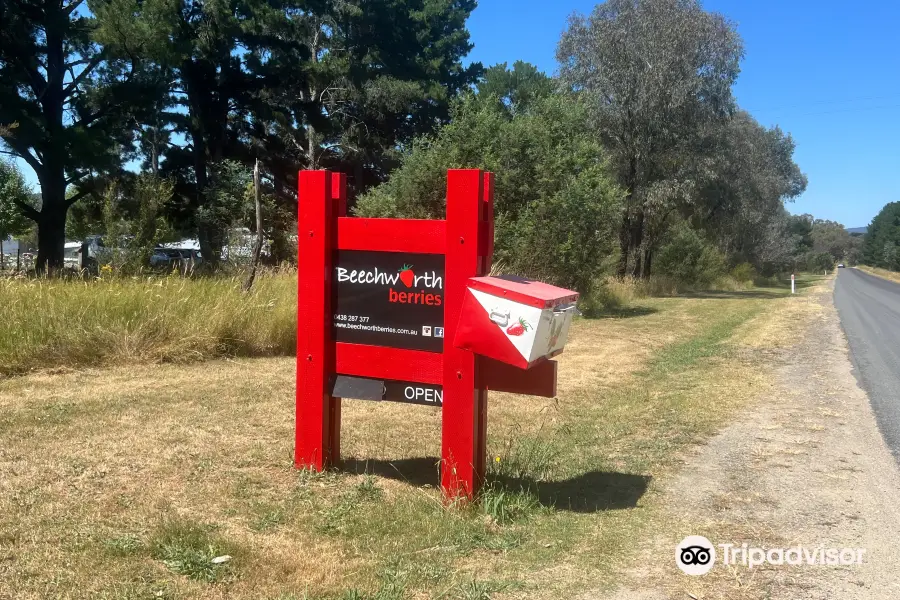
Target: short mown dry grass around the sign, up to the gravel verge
[{"x": 103, "y": 468}]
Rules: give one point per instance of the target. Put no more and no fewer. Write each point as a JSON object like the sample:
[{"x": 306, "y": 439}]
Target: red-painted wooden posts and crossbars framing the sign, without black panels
[{"x": 466, "y": 239}]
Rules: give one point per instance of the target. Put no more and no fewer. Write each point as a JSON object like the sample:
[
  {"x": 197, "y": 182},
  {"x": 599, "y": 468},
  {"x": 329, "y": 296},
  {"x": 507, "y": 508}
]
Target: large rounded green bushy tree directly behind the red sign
[{"x": 556, "y": 203}]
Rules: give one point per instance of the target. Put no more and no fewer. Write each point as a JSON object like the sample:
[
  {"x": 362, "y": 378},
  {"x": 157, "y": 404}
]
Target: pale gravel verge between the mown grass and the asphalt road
[{"x": 805, "y": 466}]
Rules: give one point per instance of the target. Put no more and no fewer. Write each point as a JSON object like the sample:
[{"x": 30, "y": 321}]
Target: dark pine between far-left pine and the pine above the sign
[{"x": 200, "y": 47}]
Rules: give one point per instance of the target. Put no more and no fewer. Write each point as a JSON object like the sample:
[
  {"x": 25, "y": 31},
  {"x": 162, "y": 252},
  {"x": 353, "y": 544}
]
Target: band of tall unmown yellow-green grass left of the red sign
[{"x": 54, "y": 323}]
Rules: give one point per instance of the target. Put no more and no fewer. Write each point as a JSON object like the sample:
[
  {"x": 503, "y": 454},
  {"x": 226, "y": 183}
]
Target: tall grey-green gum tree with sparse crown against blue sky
[{"x": 658, "y": 71}]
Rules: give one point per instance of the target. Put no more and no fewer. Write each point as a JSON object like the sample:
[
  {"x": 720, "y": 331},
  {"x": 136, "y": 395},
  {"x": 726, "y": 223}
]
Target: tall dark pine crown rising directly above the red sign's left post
[{"x": 356, "y": 81}]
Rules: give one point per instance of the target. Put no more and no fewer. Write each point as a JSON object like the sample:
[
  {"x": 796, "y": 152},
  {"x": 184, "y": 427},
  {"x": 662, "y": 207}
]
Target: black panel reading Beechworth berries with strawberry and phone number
[{"x": 391, "y": 299}]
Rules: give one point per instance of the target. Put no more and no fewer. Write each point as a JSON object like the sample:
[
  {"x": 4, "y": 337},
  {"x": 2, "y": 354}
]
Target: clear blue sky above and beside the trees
[{"x": 826, "y": 72}]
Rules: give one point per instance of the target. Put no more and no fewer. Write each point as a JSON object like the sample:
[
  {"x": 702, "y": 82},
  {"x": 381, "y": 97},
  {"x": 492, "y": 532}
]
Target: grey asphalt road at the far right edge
[{"x": 870, "y": 313}]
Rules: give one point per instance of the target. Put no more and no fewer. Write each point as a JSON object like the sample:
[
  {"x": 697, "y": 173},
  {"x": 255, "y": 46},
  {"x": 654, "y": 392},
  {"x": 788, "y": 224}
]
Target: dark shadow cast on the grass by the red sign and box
[{"x": 589, "y": 492}]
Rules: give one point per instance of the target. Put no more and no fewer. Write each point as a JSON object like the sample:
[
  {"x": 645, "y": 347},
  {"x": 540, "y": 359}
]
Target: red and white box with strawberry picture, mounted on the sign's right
[{"x": 515, "y": 320}]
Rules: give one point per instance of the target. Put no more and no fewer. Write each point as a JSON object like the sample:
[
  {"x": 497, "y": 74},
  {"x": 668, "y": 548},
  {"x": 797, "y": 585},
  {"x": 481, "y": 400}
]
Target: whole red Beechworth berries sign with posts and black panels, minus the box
[{"x": 378, "y": 303}]
